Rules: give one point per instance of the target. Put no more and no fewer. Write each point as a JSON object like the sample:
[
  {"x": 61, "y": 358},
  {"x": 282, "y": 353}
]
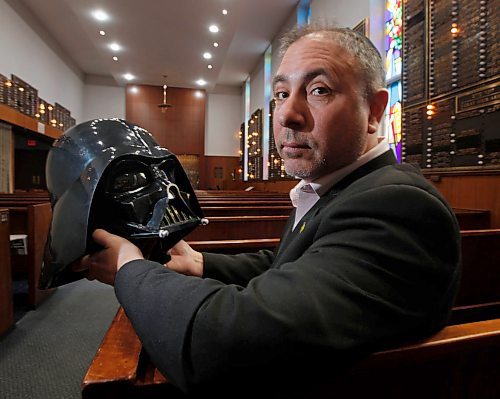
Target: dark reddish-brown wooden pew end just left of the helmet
[{"x": 33, "y": 220}]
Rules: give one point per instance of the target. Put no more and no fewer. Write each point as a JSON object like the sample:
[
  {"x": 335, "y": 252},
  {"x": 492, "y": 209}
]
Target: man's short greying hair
[{"x": 372, "y": 68}]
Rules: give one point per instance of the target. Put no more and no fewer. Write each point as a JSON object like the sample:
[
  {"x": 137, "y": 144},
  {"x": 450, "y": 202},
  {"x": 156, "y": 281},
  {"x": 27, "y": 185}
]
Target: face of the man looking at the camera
[{"x": 321, "y": 117}]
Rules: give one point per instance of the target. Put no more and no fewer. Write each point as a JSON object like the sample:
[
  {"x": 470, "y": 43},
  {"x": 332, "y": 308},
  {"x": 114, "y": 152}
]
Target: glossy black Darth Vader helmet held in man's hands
[{"x": 111, "y": 174}]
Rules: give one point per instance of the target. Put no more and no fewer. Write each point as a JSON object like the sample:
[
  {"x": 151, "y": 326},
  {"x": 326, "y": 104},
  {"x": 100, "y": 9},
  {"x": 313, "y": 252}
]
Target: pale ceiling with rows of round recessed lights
[{"x": 159, "y": 37}]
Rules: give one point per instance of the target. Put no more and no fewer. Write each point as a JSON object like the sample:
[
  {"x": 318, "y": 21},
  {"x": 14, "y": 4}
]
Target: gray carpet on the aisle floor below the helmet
[{"x": 48, "y": 352}]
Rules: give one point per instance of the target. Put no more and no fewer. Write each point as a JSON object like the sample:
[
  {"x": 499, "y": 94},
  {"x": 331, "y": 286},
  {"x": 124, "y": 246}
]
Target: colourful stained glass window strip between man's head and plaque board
[{"x": 393, "y": 61}]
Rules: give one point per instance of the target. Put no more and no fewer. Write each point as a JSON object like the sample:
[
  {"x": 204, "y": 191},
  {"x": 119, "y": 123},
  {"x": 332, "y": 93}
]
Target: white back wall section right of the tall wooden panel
[{"x": 224, "y": 116}]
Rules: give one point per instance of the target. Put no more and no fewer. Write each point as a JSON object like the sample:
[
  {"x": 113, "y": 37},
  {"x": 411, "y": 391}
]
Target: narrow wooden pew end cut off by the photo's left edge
[{"x": 6, "y": 303}]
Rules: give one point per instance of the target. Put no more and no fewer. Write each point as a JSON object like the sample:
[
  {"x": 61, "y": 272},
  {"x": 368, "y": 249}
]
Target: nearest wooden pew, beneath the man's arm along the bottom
[{"x": 460, "y": 361}]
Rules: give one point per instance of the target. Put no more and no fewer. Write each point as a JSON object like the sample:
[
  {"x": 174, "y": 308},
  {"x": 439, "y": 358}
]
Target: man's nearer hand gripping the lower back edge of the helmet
[{"x": 104, "y": 264}]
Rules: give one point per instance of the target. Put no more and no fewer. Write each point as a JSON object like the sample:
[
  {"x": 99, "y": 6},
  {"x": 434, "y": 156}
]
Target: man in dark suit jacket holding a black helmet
[{"x": 369, "y": 257}]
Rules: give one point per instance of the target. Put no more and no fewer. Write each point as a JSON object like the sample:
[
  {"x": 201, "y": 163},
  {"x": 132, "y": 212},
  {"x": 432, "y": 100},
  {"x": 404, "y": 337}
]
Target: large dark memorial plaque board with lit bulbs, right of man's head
[{"x": 451, "y": 83}]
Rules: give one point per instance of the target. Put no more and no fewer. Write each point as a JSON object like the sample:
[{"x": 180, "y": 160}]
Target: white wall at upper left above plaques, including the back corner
[{"x": 27, "y": 51}]
